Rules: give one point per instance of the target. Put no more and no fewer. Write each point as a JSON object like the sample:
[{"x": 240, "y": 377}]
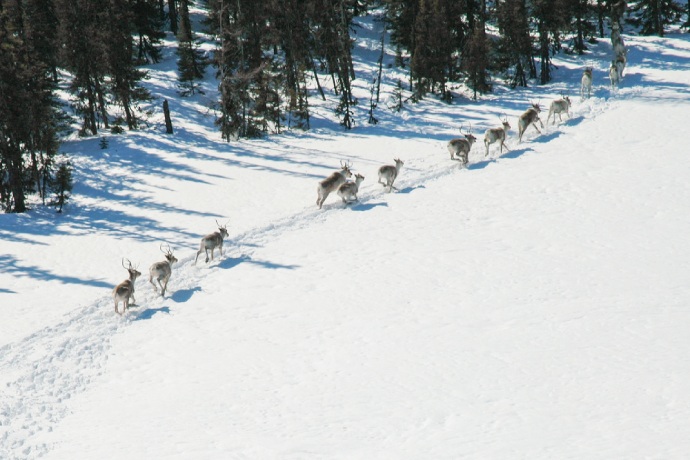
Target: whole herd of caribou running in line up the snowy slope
[{"x": 338, "y": 181}]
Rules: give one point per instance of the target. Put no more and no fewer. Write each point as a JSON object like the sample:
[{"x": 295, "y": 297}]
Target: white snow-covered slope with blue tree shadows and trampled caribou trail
[{"x": 533, "y": 305}]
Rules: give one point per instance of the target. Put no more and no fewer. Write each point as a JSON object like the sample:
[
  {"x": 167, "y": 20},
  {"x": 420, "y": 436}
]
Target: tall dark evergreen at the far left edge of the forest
[{"x": 29, "y": 115}]
